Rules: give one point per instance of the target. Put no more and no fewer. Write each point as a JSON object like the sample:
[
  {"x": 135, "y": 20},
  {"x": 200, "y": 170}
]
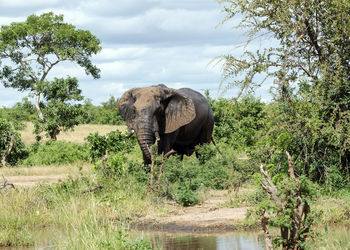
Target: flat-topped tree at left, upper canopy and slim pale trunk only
[{"x": 29, "y": 50}]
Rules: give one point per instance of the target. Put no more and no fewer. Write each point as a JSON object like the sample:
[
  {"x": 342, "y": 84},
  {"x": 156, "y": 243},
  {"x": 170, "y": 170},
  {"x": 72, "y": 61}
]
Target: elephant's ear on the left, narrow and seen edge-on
[{"x": 126, "y": 106}]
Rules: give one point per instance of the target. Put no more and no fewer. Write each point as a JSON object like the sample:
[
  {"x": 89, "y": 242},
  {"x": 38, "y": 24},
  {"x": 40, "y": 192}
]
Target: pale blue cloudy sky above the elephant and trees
[{"x": 144, "y": 43}]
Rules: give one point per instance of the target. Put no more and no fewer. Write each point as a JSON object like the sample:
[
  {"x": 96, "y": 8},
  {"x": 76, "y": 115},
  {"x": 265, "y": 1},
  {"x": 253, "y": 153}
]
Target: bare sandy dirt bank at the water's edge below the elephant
[{"x": 210, "y": 216}]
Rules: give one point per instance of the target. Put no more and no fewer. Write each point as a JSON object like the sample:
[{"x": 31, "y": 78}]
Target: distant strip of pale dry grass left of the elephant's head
[{"x": 77, "y": 135}]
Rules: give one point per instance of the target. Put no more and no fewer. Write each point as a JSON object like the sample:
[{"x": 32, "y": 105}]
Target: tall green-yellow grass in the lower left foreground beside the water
[{"x": 76, "y": 220}]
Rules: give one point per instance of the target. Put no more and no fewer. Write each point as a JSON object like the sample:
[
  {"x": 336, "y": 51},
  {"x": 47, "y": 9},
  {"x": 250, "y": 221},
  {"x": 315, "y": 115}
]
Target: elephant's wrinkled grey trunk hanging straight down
[{"x": 145, "y": 138}]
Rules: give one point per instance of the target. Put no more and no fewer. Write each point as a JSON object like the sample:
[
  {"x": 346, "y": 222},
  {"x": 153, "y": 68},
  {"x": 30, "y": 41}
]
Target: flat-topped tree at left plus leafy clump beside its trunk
[{"x": 28, "y": 52}]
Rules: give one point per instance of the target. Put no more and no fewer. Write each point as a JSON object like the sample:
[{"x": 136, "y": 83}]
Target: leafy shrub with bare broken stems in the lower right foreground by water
[{"x": 288, "y": 208}]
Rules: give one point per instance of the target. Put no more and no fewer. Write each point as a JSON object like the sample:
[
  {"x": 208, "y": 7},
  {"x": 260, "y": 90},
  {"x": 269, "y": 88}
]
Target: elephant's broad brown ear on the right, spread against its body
[{"x": 179, "y": 112}]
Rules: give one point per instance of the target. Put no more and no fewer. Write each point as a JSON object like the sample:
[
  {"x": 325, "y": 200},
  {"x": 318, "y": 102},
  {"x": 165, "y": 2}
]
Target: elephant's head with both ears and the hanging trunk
[{"x": 153, "y": 111}]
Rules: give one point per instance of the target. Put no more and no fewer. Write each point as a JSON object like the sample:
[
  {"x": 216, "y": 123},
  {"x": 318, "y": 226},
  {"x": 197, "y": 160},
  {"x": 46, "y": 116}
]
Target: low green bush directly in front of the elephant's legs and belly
[{"x": 183, "y": 179}]
